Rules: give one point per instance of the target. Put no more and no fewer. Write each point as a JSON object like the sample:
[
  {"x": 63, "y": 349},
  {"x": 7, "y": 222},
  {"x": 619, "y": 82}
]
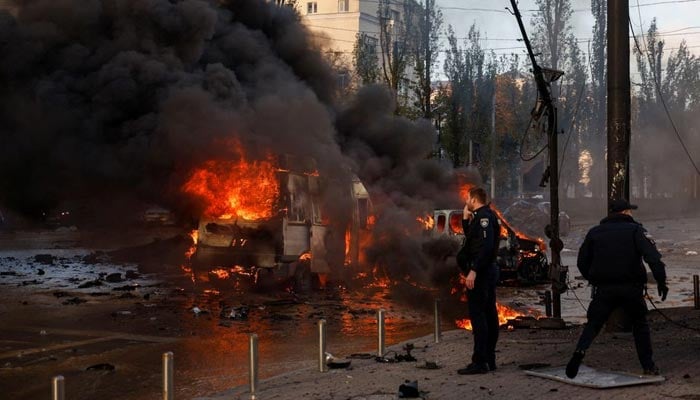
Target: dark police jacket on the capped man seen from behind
[{"x": 612, "y": 253}]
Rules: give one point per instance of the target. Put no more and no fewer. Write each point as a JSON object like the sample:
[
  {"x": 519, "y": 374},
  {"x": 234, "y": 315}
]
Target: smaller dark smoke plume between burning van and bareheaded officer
[{"x": 390, "y": 155}]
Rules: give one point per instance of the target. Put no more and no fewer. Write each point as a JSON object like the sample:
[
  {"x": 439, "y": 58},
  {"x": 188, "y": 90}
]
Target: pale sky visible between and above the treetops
[{"x": 676, "y": 19}]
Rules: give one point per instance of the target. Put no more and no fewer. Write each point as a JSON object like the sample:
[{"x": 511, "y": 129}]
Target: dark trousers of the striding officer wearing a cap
[{"x": 631, "y": 299}]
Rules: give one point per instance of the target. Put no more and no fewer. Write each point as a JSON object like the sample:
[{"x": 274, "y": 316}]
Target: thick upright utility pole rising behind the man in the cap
[{"x": 619, "y": 114}]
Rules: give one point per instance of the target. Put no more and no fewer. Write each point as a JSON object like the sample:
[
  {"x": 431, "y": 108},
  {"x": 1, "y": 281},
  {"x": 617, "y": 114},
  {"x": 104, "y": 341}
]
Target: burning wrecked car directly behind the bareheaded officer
[{"x": 521, "y": 258}]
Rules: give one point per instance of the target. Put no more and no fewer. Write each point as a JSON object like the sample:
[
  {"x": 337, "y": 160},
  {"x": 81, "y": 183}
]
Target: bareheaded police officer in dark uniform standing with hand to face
[{"x": 477, "y": 260}]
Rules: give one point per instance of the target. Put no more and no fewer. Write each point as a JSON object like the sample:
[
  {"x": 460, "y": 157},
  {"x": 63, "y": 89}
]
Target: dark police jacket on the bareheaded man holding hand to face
[{"x": 481, "y": 237}]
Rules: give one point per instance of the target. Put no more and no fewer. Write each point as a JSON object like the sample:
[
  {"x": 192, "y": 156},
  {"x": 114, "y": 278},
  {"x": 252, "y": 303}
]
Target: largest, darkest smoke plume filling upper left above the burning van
[{"x": 114, "y": 96}]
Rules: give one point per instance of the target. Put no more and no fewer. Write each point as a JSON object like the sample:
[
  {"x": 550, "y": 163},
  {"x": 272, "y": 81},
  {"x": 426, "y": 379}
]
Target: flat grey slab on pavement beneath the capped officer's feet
[{"x": 595, "y": 378}]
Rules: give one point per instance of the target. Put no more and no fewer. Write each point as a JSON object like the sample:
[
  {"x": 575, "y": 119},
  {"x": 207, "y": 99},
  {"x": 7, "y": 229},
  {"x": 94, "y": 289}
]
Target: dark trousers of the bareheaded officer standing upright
[{"x": 484, "y": 317}]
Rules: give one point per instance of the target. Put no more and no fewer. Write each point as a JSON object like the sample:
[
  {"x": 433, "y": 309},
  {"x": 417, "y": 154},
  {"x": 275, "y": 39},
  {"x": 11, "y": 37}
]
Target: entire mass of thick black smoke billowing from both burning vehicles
[{"x": 115, "y": 101}]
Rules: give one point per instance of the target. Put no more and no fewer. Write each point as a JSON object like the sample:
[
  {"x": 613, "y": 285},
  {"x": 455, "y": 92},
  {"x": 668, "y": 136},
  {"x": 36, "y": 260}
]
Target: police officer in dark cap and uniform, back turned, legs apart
[{"x": 610, "y": 258}]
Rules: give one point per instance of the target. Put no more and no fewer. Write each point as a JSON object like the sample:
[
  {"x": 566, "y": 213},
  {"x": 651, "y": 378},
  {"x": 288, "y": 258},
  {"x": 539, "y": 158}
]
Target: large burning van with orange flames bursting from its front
[{"x": 285, "y": 227}]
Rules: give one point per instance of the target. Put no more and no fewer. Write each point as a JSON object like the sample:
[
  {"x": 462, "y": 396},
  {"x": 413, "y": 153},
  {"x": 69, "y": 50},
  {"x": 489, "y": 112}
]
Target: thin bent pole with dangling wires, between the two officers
[{"x": 543, "y": 78}]
